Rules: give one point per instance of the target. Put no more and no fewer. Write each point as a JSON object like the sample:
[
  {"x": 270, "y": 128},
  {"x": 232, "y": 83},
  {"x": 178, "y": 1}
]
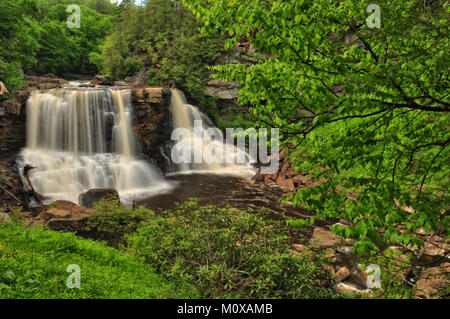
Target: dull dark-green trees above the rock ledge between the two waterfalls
[{"x": 162, "y": 38}]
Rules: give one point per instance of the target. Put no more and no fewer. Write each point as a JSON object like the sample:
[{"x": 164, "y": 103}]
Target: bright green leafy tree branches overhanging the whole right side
[{"x": 369, "y": 105}]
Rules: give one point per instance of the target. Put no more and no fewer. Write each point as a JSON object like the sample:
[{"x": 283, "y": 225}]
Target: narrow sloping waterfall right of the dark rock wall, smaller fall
[{"x": 204, "y": 143}]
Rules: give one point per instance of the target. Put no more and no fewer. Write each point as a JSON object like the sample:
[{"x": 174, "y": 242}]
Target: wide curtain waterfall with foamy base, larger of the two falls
[{"x": 81, "y": 139}]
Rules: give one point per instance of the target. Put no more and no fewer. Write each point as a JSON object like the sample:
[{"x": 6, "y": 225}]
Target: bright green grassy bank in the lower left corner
[{"x": 33, "y": 264}]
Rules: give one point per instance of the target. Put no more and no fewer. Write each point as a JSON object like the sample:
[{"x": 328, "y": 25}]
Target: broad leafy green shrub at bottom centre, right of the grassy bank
[{"x": 229, "y": 253}]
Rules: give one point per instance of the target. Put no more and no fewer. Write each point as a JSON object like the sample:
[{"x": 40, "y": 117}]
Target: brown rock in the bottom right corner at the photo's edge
[{"x": 434, "y": 281}]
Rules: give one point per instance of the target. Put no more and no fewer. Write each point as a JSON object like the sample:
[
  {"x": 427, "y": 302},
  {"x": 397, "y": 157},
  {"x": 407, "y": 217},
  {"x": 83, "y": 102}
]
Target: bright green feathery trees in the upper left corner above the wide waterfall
[{"x": 35, "y": 38}]
